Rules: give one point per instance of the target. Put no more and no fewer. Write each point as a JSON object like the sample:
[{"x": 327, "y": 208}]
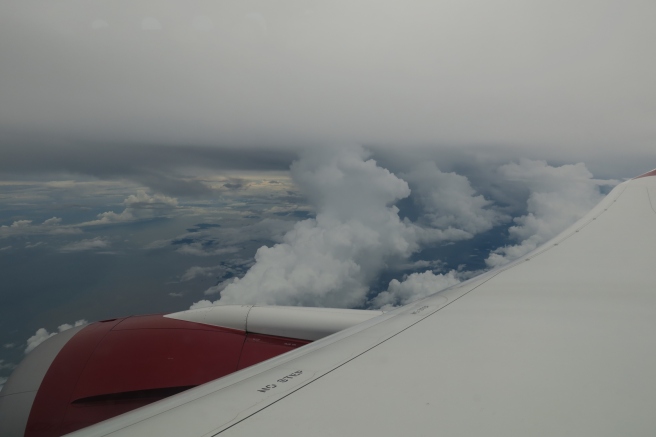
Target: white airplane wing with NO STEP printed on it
[{"x": 559, "y": 342}]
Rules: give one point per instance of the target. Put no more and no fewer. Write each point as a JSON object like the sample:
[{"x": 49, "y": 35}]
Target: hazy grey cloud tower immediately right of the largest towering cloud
[{"x": 449, "y": 202}]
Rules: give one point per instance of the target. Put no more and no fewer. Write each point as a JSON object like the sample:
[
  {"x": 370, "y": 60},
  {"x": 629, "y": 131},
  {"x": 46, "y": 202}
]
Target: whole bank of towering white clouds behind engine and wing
[{"x": 334, "y": 259}]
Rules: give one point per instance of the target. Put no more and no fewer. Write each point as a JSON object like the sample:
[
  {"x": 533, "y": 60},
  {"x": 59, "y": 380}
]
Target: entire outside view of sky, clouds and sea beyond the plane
[{"x": 156, "y": 155}]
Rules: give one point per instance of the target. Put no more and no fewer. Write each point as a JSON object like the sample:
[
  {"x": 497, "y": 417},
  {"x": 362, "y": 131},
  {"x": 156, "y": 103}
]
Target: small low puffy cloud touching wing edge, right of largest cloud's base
[{"x": 413, "y": 287}]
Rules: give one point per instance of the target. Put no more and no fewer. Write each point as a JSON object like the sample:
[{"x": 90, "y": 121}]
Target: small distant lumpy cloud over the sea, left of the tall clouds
[{"x": 138, "y": 206}]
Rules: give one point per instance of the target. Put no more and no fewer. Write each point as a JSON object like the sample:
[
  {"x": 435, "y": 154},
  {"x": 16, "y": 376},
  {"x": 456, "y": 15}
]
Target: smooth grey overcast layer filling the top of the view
[{"x": 557, "y": 80}]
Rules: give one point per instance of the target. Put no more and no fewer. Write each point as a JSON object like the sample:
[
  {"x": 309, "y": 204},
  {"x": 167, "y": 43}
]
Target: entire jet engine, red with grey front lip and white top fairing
[{"x": 92, "y": 373}]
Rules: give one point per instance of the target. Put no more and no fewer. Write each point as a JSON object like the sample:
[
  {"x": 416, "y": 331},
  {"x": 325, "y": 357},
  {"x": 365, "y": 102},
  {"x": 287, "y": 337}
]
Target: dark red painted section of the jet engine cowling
[{"x": 114, "y": 366}]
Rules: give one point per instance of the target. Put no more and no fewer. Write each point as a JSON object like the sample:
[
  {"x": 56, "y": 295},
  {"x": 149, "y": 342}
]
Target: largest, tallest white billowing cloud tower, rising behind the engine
[{"x": 330, "y": 260}]
